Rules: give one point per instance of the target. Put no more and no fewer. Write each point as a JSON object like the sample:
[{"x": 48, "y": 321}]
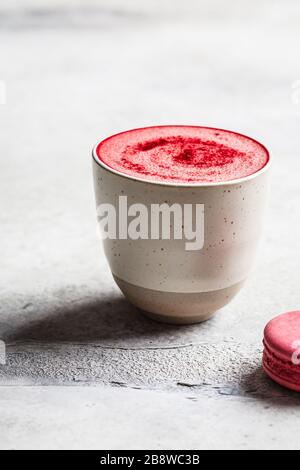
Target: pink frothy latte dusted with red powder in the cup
[{"x": 183, "y": 154}]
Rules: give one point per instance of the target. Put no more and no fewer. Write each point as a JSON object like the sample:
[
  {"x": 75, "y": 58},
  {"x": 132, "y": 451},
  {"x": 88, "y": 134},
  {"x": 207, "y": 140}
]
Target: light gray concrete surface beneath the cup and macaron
[{"x": 78, "y": 355}]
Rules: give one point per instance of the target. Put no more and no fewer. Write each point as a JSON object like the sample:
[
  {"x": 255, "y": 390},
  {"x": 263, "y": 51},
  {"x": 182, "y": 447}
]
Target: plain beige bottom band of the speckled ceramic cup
[{"x": 177, "y": 307}]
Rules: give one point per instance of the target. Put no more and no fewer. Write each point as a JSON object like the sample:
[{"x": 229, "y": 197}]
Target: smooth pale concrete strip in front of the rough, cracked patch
[{"x": 97, "y": 417}]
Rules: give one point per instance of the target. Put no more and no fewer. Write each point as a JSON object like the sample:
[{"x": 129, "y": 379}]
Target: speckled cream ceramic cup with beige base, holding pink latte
[{"x": 165, "y": 280}]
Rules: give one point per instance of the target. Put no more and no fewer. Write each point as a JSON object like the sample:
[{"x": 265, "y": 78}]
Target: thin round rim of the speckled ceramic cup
[{"x": 176, "y": 184}]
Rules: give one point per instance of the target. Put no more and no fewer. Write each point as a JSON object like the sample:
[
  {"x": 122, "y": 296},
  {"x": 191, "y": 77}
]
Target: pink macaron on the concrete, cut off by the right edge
[{"x": 281, "y": 358}]
